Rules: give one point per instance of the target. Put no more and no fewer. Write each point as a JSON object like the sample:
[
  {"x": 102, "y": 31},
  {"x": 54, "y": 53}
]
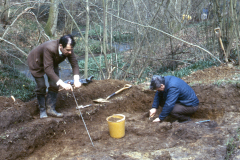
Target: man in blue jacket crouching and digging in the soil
[{"x": 179, "y": 99}]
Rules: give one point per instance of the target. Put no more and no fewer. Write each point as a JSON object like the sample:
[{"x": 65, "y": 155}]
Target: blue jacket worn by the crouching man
[{"x": 176, "y": 91}]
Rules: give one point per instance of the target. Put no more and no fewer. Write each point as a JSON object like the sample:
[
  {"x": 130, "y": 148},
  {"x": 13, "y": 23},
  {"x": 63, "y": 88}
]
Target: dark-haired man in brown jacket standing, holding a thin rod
[{"x": 44, "y": 59}]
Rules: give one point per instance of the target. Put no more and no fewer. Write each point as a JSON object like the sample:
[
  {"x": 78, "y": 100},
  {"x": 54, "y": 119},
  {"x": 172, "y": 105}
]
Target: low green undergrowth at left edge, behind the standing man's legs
[{"x": 14, "y": 83}]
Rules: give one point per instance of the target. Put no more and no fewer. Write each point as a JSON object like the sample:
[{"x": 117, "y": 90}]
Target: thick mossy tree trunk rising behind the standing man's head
[{"x": 51, "y": 25}]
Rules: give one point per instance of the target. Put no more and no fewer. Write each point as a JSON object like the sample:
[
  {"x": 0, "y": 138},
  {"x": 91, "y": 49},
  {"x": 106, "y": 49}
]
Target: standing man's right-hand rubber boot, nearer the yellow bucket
[{"x": 51, "y": 104}]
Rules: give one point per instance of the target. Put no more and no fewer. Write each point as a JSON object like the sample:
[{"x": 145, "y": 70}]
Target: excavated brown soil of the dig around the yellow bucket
[{"x": 25, "y": 136}]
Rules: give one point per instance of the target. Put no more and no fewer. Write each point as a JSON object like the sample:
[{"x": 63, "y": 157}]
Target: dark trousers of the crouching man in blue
[{"x": 182, "y": 113}]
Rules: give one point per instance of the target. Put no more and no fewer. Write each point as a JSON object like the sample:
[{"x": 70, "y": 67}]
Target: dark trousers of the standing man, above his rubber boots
[{"x": 41, "y": 86}]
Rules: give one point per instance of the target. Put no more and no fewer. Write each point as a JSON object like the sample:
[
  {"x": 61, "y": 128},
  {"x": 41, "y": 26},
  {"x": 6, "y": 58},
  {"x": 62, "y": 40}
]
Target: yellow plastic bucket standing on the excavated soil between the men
[{"x": 116, "y": 125}]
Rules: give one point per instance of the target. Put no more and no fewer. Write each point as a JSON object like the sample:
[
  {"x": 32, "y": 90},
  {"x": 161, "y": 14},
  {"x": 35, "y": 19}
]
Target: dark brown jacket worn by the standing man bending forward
[{"x": 45, "y": 57}]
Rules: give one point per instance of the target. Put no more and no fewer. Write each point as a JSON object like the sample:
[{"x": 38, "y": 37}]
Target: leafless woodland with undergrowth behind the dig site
[{"x": 166, "y": 37}]
